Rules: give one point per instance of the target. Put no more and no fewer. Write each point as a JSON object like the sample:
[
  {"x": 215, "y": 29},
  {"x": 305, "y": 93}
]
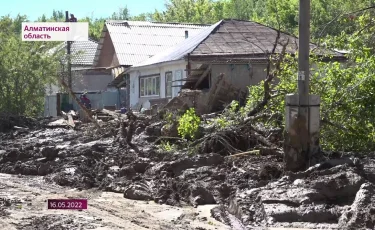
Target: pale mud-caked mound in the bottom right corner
[{"x": 361, "y": 214}]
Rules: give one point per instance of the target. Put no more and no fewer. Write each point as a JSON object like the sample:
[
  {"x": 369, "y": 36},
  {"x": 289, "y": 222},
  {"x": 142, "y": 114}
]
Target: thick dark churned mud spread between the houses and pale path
[{"x": 338, "y": 194}]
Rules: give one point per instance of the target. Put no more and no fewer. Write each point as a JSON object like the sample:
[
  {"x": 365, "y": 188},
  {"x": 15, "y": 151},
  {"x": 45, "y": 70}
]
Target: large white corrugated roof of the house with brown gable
[{"x": 136, "y": 41}]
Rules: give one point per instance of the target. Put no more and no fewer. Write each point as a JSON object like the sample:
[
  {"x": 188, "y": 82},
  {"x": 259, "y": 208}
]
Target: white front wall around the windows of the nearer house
[{"x": 175, "y": 68}]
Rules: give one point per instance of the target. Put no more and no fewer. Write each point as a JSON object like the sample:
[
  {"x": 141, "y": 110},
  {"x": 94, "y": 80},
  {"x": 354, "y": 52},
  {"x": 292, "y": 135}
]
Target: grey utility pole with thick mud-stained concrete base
[{"x": 302, "y": 110}]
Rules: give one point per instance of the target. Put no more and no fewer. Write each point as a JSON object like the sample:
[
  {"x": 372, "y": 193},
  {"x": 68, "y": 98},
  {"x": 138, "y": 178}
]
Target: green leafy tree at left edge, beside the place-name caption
[{"x": 25, "y": 69}]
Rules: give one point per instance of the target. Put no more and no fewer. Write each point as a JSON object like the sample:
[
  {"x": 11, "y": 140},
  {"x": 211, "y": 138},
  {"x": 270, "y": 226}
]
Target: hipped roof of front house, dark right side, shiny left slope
[{"x": 231, "y": 38}]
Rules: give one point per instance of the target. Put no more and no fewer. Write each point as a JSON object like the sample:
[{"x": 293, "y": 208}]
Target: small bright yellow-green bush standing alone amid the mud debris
[{"x": 188, "y": 124}]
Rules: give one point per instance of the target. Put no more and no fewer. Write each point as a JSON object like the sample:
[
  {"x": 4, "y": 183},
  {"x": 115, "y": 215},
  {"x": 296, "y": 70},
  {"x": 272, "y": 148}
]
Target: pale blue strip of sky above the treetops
[{"x": 80, "y": 8}]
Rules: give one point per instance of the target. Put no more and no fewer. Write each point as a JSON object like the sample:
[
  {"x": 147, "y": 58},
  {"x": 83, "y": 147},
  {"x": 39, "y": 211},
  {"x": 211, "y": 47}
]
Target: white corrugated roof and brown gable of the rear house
[{"x": 127, "y": 43}]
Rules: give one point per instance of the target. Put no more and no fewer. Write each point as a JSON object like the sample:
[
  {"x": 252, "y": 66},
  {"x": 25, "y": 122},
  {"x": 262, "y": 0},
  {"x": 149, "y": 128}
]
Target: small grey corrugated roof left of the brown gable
[{"x": 83, "y": 52}]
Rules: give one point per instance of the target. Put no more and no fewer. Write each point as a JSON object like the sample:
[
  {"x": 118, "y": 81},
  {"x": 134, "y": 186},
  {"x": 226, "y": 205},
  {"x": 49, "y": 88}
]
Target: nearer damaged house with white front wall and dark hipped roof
[{"x": 220, "y": 61}]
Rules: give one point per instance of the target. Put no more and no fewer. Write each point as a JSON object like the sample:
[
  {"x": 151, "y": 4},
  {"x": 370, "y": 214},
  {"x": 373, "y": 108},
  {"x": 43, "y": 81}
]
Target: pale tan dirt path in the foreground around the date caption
[{"x": 105, "y": 210}]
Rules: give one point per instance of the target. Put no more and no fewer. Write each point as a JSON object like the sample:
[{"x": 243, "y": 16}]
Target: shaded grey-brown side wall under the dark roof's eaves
[{"x": 241, "y": 75}]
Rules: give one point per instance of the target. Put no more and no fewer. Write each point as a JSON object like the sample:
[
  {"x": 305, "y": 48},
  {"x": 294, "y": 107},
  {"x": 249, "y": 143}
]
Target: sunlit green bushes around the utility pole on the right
[{"x": 346, "y": 91}]
